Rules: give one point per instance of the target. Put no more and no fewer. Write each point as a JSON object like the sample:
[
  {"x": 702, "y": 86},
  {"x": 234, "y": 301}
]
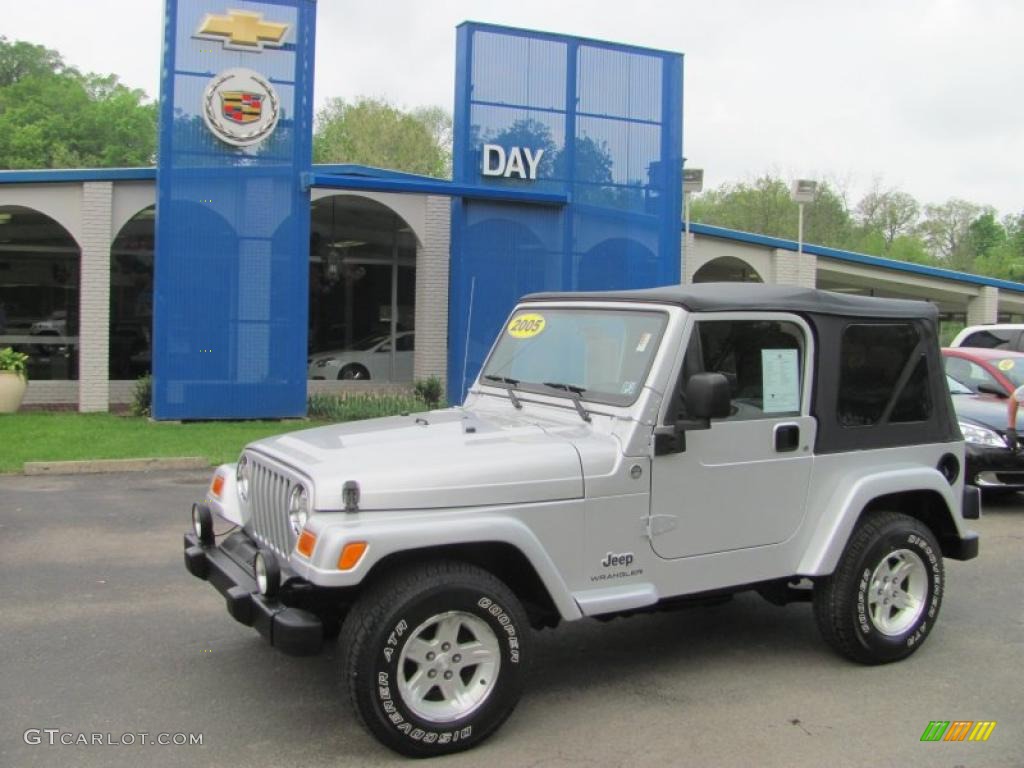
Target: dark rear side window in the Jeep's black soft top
[{"x": 883, "y": 376}]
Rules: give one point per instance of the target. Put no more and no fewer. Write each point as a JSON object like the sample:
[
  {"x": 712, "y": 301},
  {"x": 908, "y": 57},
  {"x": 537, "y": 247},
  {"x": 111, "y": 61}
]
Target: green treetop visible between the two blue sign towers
[{"x": 376, "y": 134}]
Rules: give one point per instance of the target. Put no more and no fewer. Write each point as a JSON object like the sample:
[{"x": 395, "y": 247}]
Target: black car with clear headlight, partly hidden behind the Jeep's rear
[{"x": 992, "y": 464}]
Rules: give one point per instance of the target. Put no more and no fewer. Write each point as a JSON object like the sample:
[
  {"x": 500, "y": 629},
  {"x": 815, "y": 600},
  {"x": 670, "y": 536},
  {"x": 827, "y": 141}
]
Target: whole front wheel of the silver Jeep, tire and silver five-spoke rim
[{"x": 436, "y": 658}]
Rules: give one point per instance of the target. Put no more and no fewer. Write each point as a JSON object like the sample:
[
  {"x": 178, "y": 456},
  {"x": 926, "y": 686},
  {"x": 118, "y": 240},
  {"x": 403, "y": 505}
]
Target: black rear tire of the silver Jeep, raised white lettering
[{"x": 843, "y": 601}]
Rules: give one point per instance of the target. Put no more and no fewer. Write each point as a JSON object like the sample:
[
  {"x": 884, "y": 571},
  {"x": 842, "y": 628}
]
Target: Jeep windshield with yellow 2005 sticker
[{"x": 602, "y": 355}]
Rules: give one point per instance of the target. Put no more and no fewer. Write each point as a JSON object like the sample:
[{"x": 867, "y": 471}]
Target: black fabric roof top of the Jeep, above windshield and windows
[{"x": 718, "y": 297}]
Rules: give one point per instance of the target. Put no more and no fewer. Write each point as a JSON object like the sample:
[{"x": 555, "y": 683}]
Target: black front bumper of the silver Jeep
[{"x": 229, "y": 568}]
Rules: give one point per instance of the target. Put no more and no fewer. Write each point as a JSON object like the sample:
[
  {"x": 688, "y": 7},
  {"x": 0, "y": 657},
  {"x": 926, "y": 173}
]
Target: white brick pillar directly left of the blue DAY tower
[{"x": 433, "y": 261}]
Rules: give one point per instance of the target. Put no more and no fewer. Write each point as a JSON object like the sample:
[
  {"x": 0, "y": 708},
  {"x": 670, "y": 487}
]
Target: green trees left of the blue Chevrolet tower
[{"x": 54, "y": 117}]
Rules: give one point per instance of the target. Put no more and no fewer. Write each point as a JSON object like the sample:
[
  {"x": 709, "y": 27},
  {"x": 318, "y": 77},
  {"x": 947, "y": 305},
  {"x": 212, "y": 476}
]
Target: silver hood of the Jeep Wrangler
[{"x": 442, "y": 459}]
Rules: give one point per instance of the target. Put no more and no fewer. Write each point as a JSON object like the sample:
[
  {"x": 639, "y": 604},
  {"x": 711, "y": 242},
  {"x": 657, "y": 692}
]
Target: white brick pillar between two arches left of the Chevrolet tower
[{"x": 95, "y": 300}]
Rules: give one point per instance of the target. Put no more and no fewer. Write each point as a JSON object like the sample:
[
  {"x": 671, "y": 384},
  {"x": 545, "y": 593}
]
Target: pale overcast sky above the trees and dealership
[{"x": 923, "y": 96}]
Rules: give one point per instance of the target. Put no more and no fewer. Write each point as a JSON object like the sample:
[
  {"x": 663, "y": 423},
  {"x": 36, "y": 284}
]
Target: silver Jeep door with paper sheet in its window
[{"x": 742, "y": 484}]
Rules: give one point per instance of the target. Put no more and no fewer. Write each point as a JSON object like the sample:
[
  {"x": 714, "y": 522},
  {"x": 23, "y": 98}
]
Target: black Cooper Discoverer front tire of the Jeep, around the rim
[{"x": 383, "y": 623}]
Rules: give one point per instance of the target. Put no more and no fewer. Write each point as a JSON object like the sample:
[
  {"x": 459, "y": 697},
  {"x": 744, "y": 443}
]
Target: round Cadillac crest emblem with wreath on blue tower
[{"x": 241, "y": 108}]
